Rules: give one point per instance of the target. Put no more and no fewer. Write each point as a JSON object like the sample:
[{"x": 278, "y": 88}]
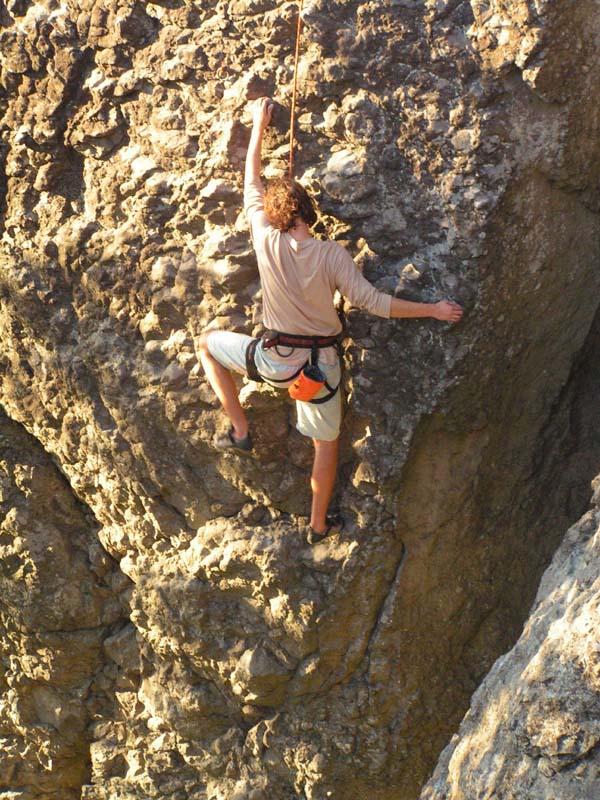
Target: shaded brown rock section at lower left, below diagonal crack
[{"x": 59, "y": 610}]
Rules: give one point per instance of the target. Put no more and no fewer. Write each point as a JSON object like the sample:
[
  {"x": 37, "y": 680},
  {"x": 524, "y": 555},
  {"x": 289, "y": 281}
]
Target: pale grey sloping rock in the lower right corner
[{"x": 534, "y": 724}]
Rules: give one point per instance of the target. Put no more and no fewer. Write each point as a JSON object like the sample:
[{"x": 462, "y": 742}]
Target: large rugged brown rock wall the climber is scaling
[{"x": 454, "y": 148}]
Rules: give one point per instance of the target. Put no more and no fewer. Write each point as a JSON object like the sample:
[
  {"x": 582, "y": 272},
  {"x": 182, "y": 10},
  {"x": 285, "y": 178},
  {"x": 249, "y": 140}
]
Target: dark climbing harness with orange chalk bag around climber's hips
[{"x": 307, "y": 377}]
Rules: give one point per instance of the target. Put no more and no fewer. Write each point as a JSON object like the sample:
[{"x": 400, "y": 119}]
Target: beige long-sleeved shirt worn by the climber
[{"x": 299, "y": 279}]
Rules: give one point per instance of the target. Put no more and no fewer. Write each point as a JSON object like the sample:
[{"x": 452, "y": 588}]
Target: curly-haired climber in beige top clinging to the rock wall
[{"x": 299, "y": 275}]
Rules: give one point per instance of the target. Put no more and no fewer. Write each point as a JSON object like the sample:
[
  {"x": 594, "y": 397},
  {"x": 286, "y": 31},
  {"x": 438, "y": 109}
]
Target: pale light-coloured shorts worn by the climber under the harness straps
[{"x": 318, "y": 420}]
